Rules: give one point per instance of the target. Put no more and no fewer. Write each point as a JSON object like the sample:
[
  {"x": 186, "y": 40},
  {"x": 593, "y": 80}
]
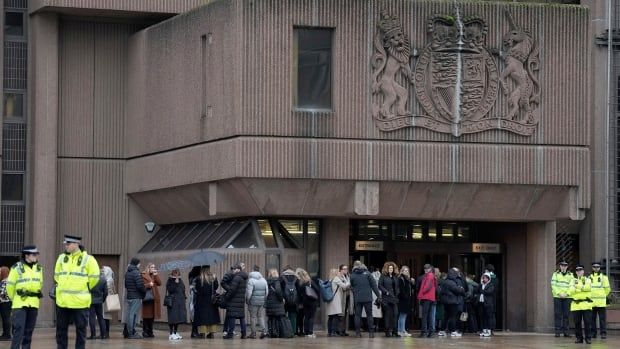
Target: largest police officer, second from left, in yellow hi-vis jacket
[{"x": 76, "y": 272}]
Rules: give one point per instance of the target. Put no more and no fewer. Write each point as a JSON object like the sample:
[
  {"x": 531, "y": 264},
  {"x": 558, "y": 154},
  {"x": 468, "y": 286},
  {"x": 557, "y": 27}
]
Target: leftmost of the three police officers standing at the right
[{"x": 560, "y": 284}]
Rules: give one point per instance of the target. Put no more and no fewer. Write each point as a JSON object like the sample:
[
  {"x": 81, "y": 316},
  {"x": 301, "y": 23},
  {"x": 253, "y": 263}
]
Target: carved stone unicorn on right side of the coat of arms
[{"x": 521, "y": 63}]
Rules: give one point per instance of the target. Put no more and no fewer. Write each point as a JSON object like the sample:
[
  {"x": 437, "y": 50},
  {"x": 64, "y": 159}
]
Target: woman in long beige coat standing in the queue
[{"x": 337, "y": 308}]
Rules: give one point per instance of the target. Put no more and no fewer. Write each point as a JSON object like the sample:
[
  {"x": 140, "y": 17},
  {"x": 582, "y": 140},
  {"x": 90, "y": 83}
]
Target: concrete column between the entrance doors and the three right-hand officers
[{"x": 540, "y": 263}]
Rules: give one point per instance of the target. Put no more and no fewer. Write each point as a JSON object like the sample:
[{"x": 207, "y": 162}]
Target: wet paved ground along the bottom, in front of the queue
[{"x": 44, "y": 339}]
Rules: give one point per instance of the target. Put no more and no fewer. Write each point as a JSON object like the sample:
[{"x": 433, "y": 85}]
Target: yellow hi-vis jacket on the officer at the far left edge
[{"x": 23, "y": 285}]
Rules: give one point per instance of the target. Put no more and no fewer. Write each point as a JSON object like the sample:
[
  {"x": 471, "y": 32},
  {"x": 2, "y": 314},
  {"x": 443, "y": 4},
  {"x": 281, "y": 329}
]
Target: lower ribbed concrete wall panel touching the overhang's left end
[{"x": 109, "y": 215}]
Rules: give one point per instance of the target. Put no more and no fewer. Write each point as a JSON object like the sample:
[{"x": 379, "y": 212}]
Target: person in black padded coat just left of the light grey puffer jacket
[{"x": 235, "y": 302}]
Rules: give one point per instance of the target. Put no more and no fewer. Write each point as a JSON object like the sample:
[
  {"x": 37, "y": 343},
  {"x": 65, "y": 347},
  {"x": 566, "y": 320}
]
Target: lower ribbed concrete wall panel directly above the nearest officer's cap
[{"x": 75, "y": 199}]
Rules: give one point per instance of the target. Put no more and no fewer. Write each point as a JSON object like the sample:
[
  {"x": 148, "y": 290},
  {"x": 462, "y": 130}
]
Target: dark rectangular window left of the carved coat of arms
[{"x": 313, "y": 73}]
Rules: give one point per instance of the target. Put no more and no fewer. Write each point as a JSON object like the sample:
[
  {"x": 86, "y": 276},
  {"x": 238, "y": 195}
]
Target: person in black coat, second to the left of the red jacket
[{"x": 388, "y": 284}]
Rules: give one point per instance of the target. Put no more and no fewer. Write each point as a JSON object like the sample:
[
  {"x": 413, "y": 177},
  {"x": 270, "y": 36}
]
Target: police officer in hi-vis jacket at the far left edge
[{"x": 24, "y": 286}]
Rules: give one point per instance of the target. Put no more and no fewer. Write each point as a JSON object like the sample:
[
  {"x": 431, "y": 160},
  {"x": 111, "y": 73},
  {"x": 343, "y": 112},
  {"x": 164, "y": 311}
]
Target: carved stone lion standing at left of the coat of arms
[{"x": 390, "y": 61}]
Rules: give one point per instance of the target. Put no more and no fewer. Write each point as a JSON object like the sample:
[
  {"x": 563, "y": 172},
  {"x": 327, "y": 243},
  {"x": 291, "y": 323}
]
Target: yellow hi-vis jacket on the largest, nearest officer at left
[{"x": 75, "y": 275}]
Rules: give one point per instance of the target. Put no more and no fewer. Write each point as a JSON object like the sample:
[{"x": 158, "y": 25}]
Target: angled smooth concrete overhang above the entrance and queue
[{"x": 358, "y": 199}]
